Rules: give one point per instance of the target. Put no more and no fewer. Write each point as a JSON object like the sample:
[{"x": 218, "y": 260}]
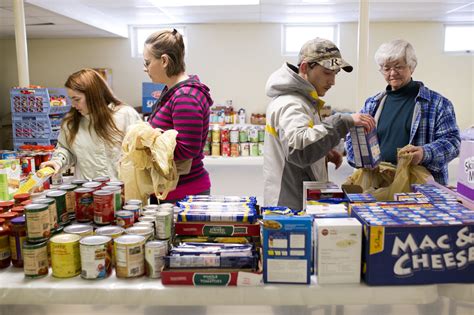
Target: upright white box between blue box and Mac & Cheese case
[{"x": 338, "y": 246}]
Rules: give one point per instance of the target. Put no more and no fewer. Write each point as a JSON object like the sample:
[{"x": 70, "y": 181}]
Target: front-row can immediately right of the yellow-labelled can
[{"x": 96, "y": 257}]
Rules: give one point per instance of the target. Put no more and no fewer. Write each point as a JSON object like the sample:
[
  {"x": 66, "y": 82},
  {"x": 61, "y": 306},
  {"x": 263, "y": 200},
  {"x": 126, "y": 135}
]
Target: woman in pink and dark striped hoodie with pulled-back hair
[{"x": 184, "y": 106}]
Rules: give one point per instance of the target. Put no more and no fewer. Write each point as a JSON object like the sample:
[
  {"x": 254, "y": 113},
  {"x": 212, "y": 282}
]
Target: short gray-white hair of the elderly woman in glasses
[{"x": 398, "y": 49}]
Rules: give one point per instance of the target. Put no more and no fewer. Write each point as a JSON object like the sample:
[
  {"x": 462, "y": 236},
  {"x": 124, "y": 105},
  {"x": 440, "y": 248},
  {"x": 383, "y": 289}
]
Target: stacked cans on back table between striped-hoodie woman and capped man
[{"x": 234, "y": 141}]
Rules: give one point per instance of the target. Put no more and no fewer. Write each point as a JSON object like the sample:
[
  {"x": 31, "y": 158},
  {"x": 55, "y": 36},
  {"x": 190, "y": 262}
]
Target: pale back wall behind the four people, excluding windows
[{"x": 235, "y": 60}]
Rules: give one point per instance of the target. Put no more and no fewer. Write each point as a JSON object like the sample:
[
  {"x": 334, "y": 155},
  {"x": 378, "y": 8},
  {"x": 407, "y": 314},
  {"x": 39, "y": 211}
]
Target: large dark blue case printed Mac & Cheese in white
[{"x": 409, "y": 246}]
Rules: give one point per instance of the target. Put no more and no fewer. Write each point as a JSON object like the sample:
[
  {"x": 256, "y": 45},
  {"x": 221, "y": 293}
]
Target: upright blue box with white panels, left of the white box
[{"x": 286, "y": 249}]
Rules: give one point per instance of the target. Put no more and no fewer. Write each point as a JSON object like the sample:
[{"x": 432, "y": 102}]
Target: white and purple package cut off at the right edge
[{"x": 465, "y": 185}]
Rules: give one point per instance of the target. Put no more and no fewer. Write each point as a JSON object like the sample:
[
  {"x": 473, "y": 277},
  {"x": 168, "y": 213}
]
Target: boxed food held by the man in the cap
[{"x": 365, "y": 146}]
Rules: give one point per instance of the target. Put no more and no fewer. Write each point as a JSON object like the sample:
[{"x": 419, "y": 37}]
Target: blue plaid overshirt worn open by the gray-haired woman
[{"x": 433, "y": 127}]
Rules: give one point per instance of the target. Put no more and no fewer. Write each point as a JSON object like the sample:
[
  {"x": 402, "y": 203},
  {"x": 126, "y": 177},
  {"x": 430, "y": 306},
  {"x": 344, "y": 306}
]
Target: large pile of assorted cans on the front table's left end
[{"x": 84, "y": 228}]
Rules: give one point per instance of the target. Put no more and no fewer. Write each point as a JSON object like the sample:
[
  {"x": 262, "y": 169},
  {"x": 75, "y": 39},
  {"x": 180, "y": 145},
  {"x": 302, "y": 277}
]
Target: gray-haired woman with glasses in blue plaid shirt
[{"x": 407, "y": 112}]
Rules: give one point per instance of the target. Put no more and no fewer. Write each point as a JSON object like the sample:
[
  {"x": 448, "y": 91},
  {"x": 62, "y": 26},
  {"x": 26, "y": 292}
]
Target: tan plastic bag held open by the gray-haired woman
[{"x": 387, "y": 179}]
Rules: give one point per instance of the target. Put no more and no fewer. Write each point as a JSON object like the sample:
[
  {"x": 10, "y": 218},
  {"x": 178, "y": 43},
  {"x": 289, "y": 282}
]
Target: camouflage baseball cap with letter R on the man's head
[{"x": 325, "y": 53}]
